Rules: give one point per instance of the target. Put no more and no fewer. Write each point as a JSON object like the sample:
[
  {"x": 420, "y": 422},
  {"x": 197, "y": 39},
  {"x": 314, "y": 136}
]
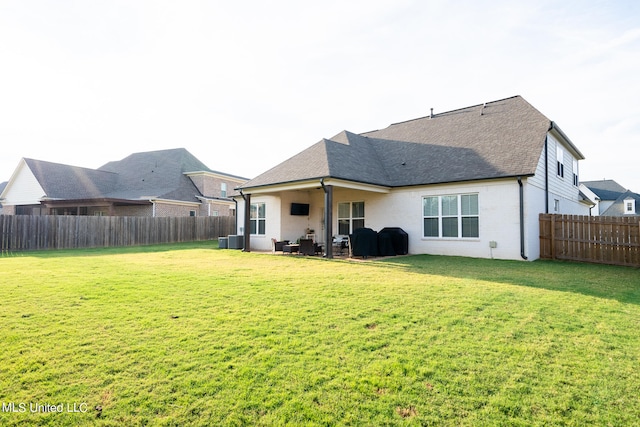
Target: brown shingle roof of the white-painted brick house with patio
[{"x": 499, "y": 139}]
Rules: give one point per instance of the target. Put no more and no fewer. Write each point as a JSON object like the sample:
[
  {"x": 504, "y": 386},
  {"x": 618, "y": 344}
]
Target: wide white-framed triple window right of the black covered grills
[{"x": 451, "y": 216}]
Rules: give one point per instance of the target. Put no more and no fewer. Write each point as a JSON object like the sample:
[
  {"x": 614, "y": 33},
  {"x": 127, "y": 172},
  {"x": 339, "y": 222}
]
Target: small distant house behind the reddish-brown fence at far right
[{"x": 612, "y": 199}]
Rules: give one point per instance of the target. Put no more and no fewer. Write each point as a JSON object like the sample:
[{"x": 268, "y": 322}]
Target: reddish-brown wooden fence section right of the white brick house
[{"x": 599, "y": 239}]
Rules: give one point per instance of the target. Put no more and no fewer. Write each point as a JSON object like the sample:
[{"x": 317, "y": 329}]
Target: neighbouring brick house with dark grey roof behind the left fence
[{"x": 156, "y": 183}]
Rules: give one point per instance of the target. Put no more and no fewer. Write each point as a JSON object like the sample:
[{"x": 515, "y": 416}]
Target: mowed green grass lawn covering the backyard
[{"x": 193, "y": 335}]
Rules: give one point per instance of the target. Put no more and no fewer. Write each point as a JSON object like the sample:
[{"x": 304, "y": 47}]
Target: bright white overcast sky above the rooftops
[{"x": 244, "y": 85}]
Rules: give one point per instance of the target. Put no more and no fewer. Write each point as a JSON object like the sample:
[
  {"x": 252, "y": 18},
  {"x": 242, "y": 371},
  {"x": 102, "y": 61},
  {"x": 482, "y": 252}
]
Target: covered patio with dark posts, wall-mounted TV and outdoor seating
[{"x": 324, "y": 210}]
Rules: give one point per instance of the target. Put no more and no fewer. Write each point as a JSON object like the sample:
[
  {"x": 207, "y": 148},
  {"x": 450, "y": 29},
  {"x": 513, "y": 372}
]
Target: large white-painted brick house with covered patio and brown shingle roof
[{"x": 468, "y": 182}]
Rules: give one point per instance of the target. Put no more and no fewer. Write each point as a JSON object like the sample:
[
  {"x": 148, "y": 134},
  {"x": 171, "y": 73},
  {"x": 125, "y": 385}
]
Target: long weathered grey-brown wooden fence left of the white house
[{"x": 24, "y": 232}]
